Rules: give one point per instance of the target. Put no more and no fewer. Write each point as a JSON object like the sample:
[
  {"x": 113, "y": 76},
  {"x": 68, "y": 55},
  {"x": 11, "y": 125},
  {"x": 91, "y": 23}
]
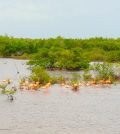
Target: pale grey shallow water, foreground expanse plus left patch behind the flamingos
[{"x": 58, "y": 110}]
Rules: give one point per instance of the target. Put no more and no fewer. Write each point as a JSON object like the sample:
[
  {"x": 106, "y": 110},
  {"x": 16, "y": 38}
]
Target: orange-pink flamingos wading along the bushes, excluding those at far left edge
[{"x": 72, "y": 85}]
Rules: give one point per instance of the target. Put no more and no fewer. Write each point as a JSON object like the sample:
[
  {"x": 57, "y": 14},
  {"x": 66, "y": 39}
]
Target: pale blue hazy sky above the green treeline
[{"x": 68, "y": 18}]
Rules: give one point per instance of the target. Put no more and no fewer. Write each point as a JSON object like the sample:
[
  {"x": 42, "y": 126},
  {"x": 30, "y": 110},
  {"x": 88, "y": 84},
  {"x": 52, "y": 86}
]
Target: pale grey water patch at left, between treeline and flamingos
[{"x": 13, "y": 69}]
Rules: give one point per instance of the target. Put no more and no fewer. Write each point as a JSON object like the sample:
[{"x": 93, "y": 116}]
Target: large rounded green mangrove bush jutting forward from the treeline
[{"x": 60, "y": 58}]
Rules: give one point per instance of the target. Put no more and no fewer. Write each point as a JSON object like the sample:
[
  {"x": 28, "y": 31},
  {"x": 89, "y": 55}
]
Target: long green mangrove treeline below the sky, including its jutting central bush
[{"x": 61, "y": 53}]
